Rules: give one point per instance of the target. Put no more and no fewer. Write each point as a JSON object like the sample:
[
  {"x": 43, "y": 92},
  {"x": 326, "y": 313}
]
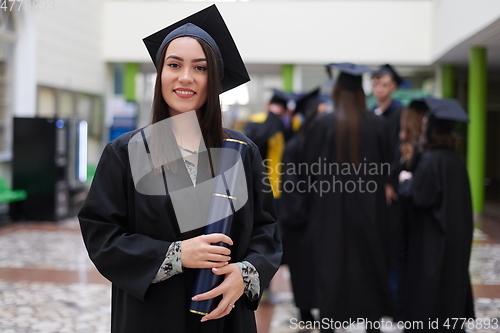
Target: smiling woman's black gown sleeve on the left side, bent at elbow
[{"x": 129, "y": 260}]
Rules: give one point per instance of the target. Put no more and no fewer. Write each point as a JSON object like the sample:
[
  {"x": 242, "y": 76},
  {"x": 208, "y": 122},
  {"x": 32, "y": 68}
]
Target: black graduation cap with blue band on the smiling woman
[{"x": 209, "y": 26}]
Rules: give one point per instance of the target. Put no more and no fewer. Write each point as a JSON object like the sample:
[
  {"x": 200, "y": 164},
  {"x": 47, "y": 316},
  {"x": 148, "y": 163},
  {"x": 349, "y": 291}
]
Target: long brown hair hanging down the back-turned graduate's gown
[{"x": 350, "y": 106}]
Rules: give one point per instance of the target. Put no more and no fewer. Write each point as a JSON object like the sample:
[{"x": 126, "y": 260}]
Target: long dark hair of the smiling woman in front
[{"x": 210, "y": 115}]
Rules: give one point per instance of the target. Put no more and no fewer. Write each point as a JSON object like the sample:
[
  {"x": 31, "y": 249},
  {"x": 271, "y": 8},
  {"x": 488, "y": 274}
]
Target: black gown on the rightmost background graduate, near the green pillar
[{"x": 437, "y": 283}]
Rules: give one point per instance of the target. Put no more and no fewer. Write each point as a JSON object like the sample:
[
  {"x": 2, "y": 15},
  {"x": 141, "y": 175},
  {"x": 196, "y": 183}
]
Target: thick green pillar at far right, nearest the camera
[{"x": 476, "y": 138}]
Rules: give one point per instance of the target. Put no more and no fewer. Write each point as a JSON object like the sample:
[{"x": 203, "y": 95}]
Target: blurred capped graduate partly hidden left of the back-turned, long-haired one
[{"x": 296, "y": 231}]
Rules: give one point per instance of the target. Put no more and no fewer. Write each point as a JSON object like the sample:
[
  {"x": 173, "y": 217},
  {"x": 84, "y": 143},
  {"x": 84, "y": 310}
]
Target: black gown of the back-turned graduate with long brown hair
[{"x": 350, "y": 226}]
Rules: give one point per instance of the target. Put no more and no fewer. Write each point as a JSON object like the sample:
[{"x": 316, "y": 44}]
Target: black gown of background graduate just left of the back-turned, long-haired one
[{"x": 297, "y": 234}]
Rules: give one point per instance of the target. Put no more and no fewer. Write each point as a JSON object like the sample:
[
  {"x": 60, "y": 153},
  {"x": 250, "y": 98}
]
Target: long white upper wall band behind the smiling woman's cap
[{"x": 300, "y": 32}]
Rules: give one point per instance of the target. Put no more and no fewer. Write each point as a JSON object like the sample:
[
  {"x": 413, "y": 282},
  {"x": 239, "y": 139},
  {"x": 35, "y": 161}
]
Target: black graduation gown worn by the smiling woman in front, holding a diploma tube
[{"x": 127, "y": 235}]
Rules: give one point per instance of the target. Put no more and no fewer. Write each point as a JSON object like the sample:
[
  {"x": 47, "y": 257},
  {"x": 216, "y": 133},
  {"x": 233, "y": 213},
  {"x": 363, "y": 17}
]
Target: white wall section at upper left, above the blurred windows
[{"x": 68, "y": 46}]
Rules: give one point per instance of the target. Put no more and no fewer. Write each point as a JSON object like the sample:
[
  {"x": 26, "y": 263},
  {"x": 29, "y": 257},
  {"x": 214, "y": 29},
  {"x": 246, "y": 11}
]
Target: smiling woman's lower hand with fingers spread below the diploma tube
[{"x": 231, "y": 290}]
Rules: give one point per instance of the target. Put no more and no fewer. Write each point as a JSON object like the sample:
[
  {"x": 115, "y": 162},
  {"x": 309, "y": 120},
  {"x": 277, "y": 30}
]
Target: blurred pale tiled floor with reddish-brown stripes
[{"x": 48, "y": 284}]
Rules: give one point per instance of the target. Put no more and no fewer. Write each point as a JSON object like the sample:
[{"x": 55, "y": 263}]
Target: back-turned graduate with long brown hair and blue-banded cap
[{"x": 347, "y": 156}]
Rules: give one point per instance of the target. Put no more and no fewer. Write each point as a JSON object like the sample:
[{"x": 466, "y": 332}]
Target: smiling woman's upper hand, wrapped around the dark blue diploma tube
[{"x": 198, "y": 252}]
